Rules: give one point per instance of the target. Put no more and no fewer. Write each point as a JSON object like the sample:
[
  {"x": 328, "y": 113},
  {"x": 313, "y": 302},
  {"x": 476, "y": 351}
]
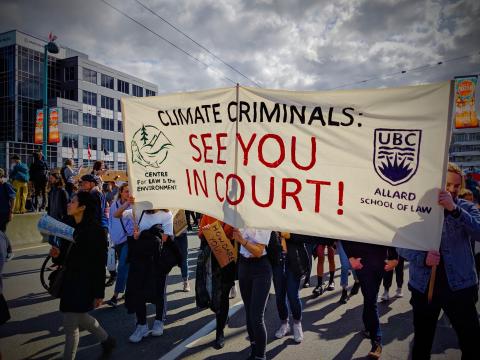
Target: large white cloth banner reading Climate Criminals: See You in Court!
[{"x": 361, "y": 165}]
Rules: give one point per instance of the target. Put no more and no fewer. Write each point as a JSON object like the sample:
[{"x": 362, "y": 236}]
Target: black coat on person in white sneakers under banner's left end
[{"x": 149, "y": 260}]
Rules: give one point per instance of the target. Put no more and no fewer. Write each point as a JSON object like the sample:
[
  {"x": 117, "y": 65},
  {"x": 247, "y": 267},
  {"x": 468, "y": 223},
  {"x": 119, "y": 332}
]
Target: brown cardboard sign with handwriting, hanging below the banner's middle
[{"x": 221, "y": 246}]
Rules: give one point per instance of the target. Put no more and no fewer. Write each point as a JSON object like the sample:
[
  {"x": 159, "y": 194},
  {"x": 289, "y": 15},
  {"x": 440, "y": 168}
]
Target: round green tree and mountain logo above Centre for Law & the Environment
[{"x": 149, "y": 146}]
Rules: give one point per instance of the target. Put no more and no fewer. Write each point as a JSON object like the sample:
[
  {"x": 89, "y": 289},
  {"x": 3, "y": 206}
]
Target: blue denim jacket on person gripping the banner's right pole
[{"x": 456, "y": 251}]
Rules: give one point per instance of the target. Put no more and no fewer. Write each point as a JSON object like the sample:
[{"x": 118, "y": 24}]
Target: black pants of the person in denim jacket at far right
[{"x": 459, "y": 306}]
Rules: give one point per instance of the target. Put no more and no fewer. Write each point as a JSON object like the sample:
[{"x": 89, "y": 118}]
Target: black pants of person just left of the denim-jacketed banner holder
[{"x": 370, "y": 280}]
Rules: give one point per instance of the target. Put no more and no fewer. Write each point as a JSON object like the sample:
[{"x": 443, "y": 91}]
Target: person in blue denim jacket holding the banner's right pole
[{"x": 455, "y": 283}]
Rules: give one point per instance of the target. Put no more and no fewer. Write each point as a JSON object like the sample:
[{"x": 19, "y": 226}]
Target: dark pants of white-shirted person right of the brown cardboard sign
[{"x": 255, "y": 279}]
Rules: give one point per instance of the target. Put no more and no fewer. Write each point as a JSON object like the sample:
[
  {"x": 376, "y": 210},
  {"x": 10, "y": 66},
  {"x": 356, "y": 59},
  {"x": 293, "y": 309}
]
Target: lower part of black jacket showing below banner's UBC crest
[{"x": 372, "y": 255}]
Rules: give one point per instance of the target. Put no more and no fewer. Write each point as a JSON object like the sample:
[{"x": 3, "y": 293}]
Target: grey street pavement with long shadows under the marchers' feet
[{"x": 332, "y": 330}]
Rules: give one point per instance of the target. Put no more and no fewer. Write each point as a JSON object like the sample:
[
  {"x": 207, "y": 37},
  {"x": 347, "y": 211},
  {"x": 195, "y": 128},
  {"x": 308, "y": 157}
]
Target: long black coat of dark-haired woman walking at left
[{"x": 84, "y": 278}]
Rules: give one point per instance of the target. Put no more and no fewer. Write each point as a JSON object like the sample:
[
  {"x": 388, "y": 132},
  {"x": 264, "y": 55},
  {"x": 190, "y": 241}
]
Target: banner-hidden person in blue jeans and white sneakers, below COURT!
[{"x": 287, "y": 275}]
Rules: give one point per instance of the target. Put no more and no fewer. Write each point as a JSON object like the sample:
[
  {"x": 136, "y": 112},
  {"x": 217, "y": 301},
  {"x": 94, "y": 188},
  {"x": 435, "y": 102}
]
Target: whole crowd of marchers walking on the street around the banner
[{"x": 147, "y": 247}]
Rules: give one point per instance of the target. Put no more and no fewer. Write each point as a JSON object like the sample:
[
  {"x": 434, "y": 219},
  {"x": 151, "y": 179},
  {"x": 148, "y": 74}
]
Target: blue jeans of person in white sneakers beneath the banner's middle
[{"x": 287, "y": 286}]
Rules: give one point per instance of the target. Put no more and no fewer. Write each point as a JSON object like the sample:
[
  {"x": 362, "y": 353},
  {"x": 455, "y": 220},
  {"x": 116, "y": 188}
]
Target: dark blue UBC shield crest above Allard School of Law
[{"x": 396, "y": 154}]
